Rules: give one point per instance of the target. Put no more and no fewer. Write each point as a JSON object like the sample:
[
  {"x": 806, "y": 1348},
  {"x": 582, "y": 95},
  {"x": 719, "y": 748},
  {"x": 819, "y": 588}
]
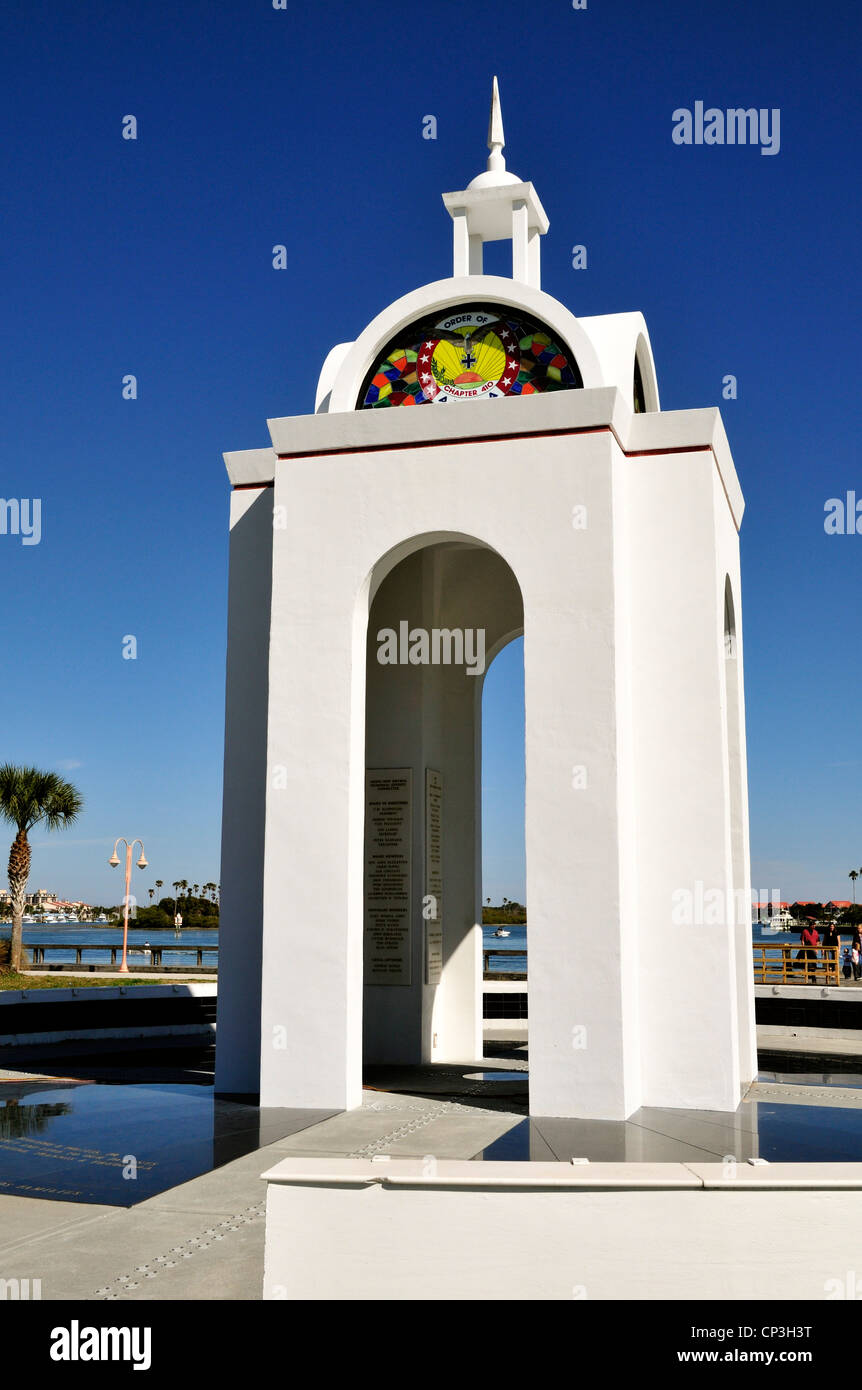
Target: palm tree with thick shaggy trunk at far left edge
[{"x": 30, "y": 797}]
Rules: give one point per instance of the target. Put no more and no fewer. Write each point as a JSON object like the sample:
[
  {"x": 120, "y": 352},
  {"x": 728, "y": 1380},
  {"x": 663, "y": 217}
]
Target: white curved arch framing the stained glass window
[{"x": 348, "y": 370}]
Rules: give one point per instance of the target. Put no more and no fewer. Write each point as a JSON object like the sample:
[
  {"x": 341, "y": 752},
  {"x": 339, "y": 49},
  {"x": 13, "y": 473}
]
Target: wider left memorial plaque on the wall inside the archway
[{"x": 389, "y": 882}]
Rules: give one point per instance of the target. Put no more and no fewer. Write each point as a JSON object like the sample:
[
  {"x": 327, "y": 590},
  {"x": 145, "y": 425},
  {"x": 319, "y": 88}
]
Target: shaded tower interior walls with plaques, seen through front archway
[{"x": 441, "y": 607}]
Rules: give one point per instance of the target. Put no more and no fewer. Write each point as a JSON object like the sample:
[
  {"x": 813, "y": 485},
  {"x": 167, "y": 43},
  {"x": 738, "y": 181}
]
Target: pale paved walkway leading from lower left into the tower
[{"x": 204, "y": 1241}]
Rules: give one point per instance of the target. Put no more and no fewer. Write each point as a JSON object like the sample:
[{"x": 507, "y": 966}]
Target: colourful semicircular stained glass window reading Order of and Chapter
[{"x": 471, "y": 352}]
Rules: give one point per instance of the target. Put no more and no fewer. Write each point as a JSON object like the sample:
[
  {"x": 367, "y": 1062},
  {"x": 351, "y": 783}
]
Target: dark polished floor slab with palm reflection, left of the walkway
[{"x": 119, "y": 1145}]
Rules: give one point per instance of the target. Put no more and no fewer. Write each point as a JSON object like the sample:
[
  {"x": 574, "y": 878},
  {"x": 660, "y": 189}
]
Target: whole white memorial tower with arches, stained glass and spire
[{"x": 371, "y": 547}]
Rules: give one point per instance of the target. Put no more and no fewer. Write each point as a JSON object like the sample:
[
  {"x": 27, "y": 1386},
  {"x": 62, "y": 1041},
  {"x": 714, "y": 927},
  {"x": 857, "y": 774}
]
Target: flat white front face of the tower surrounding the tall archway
[{"x": 315, "y": 831}]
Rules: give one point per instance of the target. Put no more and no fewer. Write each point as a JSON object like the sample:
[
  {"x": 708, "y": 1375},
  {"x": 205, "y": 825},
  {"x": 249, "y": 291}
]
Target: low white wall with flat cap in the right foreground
[{"x": 405, "y": 1229}]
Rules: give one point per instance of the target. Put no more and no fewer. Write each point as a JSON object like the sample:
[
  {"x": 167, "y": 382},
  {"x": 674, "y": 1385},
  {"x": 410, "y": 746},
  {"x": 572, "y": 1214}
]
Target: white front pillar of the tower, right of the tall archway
[{"x": 579, "y": 1027}]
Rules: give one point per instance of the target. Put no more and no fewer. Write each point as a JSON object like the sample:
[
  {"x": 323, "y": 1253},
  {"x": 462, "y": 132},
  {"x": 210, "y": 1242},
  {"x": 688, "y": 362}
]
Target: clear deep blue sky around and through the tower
[{"x": 304, "y": 127}]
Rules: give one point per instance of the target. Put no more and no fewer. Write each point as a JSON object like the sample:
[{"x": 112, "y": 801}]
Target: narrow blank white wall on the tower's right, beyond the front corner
[{"x": 688, "y": 972}]
